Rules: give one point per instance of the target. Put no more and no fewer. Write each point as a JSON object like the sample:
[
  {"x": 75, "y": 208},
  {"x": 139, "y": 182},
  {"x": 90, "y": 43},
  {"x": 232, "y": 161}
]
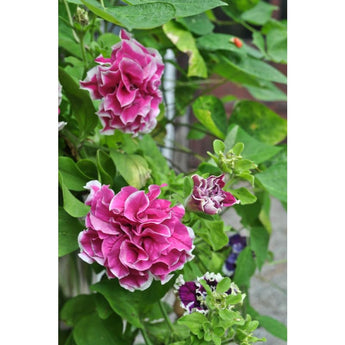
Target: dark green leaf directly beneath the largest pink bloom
[{"x": 130, "y": 305}]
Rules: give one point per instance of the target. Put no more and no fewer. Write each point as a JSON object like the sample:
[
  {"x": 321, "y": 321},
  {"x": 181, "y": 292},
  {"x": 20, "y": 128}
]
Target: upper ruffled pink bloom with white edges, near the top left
[{"x": 127, "y": 83}]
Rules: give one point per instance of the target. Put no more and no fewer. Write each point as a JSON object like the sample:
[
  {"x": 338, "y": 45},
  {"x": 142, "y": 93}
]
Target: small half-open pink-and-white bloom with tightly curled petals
[{"x": 208, "y": 195}]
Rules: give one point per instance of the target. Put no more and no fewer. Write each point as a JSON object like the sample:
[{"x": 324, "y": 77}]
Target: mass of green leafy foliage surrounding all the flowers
[{"x": 247, "y": 149}]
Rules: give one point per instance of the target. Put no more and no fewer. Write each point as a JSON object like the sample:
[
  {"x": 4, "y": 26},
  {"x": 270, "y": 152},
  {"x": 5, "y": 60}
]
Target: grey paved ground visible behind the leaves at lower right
[{"x": 268, "y": 292}]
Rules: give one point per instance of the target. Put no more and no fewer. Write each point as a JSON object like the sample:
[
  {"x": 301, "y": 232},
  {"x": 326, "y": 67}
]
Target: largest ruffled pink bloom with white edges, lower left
[{"x": 134, "y": 235}]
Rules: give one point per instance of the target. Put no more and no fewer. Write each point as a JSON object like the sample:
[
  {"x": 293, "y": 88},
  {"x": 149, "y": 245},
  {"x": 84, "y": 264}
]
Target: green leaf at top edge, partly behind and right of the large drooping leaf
[{"x": 187, "y": 8}]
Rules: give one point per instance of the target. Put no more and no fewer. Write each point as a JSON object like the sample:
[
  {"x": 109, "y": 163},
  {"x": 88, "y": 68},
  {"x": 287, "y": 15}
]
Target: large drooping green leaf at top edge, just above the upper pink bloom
[{"x": 142, "y": 16}]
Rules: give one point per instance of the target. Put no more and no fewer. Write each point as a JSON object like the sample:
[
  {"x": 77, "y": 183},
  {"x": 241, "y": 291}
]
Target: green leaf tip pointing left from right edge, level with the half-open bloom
[{"x": 274, "y": 180}]
